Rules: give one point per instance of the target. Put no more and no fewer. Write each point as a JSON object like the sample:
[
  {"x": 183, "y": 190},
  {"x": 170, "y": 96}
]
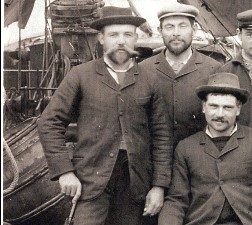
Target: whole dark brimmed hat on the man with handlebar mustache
[{"x": 116, "y": 15}]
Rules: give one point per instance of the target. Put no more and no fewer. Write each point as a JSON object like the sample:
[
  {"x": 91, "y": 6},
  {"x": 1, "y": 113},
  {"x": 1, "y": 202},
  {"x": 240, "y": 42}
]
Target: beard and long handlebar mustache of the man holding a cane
[{"x": 120, "y": 55}]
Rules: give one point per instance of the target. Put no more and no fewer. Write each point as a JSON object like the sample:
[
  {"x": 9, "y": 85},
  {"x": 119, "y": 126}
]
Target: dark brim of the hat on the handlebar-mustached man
[{"x": 133, "y": 20}]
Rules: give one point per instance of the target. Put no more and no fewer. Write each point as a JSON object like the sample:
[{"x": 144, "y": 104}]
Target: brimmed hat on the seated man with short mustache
[{"x": 226, "y": 83}]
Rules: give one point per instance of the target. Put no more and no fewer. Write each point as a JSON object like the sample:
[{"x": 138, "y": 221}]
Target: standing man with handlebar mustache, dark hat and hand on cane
[{"x": 122, "y": 161}]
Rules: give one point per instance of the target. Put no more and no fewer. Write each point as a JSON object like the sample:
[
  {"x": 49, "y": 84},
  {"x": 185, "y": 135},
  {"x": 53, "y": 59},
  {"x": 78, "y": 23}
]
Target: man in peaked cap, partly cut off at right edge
[{"x": 241, "y": 65}]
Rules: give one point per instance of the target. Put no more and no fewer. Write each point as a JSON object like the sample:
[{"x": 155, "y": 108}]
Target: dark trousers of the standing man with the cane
[{"x": 114, "y": 206}]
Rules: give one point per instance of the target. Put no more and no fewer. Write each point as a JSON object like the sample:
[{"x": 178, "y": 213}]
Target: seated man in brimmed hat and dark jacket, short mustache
[{"x": 212, "y": 171}]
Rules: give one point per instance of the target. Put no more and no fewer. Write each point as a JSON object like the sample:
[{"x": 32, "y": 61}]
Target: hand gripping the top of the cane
[{"x": 70, "y": 185}]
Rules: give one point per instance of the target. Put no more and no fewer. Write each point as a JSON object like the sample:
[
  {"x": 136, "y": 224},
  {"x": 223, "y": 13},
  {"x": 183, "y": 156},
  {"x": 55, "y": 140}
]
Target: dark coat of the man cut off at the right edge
[{"x": 237, "y": 67}]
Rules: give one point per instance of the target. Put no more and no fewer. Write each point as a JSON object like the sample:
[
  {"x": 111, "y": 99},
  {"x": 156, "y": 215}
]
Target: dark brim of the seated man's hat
[{"x": 240, "y": 94}]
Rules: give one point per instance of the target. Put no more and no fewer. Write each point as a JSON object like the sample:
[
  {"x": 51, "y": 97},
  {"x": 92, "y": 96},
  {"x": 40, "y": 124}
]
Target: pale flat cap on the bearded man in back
[{"x": 178, "y": 9}]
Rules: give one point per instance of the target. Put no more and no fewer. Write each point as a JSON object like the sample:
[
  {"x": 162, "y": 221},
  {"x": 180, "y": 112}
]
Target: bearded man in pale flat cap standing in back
[{"x": 180, "y": 68}]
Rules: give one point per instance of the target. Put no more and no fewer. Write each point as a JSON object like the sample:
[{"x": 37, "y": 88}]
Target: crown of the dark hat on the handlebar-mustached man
[{"x": 112, "y": 11}]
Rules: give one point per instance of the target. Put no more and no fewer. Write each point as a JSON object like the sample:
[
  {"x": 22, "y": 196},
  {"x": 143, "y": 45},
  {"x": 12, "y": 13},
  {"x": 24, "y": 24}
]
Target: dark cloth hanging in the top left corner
[{"x": 17, "y": 10}]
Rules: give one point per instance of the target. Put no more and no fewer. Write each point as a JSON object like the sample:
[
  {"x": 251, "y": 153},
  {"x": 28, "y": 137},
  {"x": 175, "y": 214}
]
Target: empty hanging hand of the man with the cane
[{"x": 154, "y": 201}]
